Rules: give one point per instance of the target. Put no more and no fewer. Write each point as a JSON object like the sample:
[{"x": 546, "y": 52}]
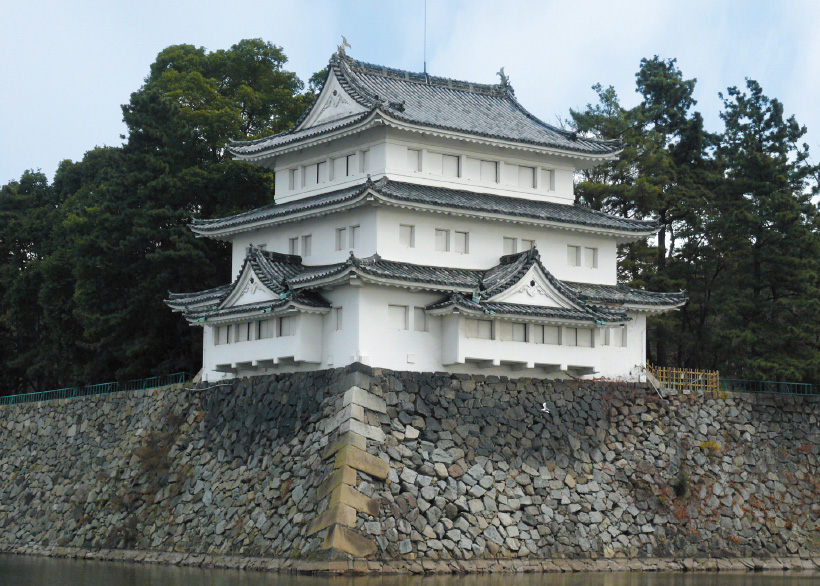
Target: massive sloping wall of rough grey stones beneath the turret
[{"x": 416, "y": 471}]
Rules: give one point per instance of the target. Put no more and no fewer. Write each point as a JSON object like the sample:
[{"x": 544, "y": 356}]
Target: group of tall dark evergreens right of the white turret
[{"x": 738, "y": 229}]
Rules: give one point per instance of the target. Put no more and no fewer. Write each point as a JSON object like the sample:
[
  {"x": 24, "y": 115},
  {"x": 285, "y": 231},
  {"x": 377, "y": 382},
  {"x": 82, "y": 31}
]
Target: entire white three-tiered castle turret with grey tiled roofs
[{"x": 423, "y": 224}]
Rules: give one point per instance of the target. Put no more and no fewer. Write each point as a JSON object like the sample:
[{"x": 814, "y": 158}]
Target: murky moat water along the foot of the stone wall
[{"x": 41, "y": 571}]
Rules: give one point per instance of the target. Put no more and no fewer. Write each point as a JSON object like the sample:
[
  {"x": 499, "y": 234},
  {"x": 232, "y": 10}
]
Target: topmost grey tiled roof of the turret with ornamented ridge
[{"x": 489, "y": 111}]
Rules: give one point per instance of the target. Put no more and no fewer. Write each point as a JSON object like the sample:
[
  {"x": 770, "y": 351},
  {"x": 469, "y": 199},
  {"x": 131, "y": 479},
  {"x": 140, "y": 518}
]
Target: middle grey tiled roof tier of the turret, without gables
[{"x": 438, "y": 198}]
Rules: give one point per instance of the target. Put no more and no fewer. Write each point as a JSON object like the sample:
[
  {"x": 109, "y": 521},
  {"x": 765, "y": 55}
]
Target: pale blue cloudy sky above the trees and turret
[{"x": 68, "y": 66}]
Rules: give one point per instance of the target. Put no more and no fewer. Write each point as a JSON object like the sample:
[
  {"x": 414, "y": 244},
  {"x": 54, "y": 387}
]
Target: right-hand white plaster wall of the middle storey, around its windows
[{"x": 486, "y": 243}]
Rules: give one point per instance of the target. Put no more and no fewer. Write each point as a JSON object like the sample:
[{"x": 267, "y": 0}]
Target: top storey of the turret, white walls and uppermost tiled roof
[{"x": 416, "y": 128}]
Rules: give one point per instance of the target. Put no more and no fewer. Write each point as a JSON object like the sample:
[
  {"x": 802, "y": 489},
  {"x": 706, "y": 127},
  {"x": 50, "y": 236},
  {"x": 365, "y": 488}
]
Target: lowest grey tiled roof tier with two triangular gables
[{"x": 295, "y": 283}]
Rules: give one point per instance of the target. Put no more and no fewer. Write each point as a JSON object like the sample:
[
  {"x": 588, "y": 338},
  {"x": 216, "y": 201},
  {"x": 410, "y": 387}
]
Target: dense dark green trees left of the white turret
[{"x": 88, "y": 259}]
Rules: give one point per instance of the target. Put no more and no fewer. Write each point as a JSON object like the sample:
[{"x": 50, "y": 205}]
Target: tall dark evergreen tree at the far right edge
[{"x": 768, "y": 229}]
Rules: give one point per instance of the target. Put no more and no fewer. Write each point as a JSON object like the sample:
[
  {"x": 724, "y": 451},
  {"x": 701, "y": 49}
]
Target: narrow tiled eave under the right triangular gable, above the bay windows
[{"x": 521, "y": 310}]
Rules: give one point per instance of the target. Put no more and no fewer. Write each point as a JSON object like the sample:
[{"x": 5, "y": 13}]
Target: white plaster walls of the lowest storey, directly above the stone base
[{"x": 367, "y": 337}]
